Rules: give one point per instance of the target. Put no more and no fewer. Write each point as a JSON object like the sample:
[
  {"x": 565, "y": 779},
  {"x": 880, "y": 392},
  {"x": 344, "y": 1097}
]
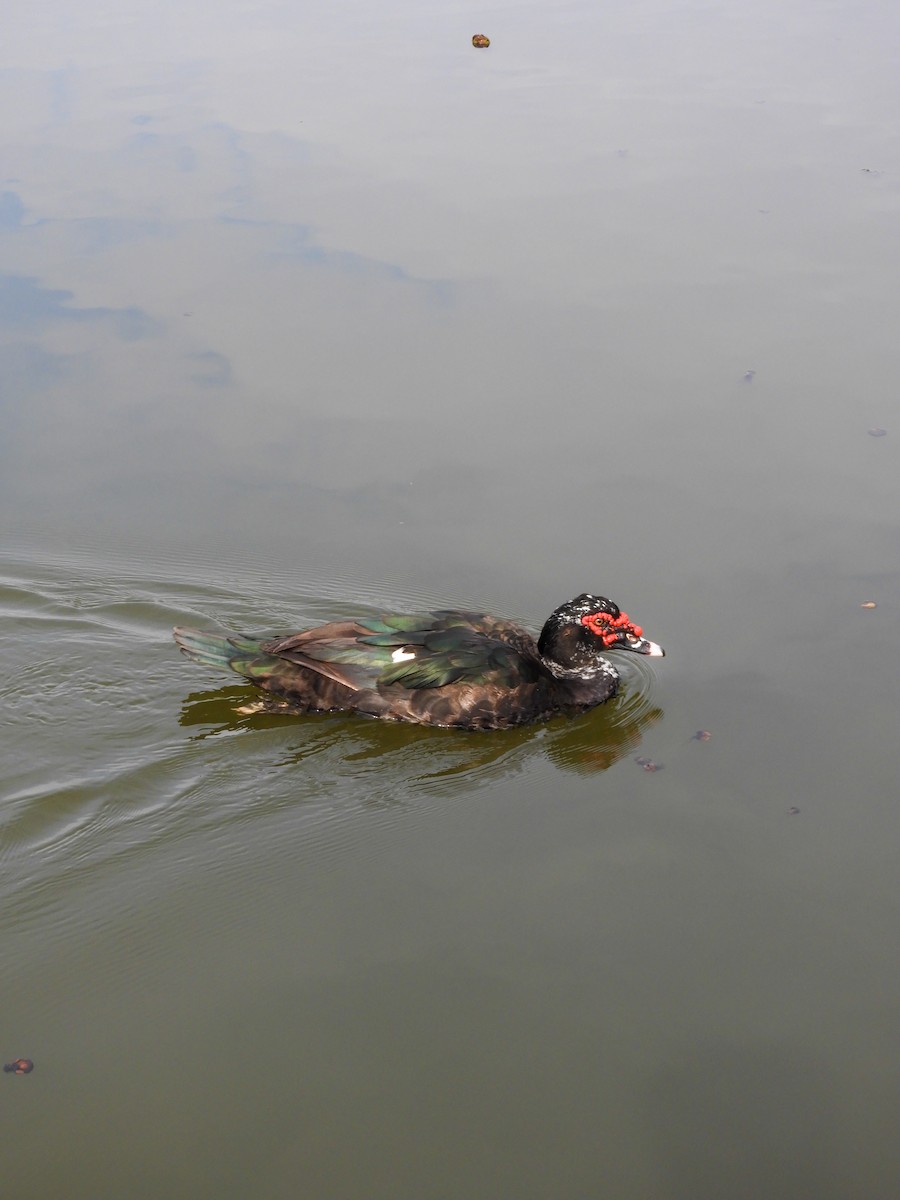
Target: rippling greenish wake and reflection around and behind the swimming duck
[{"x": 110, "y": 764}]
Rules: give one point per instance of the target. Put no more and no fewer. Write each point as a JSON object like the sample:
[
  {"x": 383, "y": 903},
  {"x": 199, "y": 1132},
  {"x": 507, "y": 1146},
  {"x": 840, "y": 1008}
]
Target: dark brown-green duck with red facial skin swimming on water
[{"x": 448, "y": 668}]
